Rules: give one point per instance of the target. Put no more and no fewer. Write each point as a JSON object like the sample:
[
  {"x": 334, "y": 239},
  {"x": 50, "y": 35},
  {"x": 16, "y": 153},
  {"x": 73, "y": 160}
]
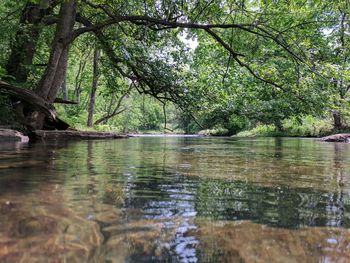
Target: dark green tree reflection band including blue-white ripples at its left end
[{"x": 167, "y": 195}]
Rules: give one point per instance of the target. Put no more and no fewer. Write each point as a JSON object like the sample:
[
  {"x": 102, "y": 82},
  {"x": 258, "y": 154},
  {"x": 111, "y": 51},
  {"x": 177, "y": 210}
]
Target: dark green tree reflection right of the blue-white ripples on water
[{"x": 274, "y": 206}]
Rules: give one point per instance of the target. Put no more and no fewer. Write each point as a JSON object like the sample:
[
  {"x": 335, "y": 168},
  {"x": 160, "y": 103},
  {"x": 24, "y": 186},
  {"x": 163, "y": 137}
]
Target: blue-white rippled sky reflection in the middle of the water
[{"x": 166, "y": 201}]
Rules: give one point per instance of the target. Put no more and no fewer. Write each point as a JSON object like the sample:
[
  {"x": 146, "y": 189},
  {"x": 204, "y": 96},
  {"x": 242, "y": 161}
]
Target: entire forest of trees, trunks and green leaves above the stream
[{"x": 189, "y": 64}]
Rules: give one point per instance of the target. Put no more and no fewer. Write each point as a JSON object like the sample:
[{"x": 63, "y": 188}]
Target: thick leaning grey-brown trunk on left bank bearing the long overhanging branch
[{"x": 55, "y": 71}]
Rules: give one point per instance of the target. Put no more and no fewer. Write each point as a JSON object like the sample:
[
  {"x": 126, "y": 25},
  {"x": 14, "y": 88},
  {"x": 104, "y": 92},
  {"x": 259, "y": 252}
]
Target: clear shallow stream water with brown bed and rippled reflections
[{"x": 175, "y": 199}]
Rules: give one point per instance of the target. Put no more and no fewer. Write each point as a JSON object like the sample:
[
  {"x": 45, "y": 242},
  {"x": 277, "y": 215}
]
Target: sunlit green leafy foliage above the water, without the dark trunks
[{"x": 292, "y": 61}]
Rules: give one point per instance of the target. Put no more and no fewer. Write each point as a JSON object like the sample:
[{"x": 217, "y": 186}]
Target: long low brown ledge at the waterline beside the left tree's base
[{"x": 73, "y": 134}]
